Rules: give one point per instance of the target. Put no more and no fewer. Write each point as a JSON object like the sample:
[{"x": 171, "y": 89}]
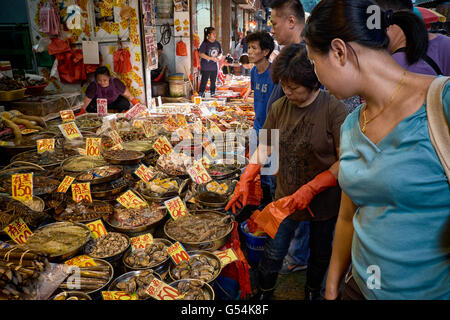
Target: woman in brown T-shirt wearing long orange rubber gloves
[{"x": 308, "y": 122}]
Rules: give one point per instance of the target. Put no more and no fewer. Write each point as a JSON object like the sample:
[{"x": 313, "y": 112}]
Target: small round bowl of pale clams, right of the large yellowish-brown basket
[{"x": 111, "y": 244}]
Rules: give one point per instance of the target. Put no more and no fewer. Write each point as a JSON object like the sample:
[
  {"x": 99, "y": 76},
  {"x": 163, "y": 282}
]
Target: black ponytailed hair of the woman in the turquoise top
[{"x": 352, "y": 20}]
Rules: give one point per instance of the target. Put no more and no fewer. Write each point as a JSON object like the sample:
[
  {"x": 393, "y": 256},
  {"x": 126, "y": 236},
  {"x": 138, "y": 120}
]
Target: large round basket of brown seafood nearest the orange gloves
[{"x": 194, "y": 228}]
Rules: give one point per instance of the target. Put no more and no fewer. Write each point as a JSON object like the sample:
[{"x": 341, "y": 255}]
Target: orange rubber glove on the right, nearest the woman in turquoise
[{"x": 301, "y": 199}]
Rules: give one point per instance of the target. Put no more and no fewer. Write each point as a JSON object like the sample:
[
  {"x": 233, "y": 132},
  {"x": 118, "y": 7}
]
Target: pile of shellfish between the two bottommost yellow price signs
[{"x": 136, "y": 282}]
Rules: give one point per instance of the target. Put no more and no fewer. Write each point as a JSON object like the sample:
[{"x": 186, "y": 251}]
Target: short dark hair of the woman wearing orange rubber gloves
[{"x": 293, "y": 65}]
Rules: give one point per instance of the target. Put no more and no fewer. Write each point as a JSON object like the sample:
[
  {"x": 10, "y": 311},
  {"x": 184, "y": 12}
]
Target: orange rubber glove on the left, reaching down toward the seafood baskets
[{"x": 248, "y": 186}]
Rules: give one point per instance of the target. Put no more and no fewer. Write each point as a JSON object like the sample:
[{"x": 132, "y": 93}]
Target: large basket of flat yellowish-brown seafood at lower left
[{"x": 59, "y": 238}]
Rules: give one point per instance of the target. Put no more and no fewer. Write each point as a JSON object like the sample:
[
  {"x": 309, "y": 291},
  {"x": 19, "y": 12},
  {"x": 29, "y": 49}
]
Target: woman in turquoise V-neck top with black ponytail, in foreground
[{"x": 393, "y": 220}]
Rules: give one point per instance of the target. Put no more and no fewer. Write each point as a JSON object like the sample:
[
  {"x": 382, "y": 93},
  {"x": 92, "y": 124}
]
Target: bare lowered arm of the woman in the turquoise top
[{"x": 341, "y": 254}]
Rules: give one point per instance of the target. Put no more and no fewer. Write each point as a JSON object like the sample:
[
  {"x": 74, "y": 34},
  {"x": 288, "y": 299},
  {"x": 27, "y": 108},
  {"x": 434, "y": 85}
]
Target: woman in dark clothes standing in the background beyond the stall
[{"x": 210, "y": 52}]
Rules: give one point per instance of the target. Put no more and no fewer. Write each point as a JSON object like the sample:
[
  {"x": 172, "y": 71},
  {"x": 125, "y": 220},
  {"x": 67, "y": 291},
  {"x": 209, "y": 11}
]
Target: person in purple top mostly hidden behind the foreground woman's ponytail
[{"x": 436, "y": 60}]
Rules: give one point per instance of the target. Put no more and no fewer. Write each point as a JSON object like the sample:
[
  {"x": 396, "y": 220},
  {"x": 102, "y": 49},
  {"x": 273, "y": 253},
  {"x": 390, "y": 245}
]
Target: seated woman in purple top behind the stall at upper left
[{"x": 106, "y": 87}]
